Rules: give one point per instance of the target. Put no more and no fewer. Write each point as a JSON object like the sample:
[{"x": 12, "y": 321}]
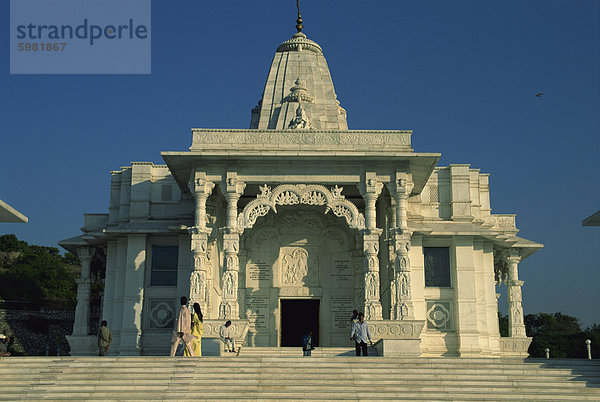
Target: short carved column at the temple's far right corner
[{"x": 516, "y": 326}]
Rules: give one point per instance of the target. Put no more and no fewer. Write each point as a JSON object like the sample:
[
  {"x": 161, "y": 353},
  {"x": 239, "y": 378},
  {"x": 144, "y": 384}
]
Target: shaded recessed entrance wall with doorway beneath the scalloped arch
[{"x": 298, "y": 271}]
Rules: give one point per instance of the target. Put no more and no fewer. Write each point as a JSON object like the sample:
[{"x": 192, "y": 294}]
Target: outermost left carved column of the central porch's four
[{"x": 201, "y": 268}]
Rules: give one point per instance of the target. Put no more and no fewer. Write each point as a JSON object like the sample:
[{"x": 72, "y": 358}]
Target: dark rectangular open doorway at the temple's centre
[{"x": 297, "y": 318}]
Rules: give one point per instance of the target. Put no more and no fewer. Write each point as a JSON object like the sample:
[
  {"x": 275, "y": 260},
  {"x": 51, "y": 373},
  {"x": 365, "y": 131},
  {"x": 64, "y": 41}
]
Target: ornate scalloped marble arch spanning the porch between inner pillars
[{"x": 308, "y": 194}]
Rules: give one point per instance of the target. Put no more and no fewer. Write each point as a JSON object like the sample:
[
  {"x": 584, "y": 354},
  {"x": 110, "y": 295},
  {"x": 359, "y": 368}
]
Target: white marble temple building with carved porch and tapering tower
[{"x": 295, "y": 222}]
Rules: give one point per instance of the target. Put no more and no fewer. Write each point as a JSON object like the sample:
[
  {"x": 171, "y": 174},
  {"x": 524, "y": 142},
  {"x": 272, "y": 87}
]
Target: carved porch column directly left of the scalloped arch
[{"x": 232, "y": 188}]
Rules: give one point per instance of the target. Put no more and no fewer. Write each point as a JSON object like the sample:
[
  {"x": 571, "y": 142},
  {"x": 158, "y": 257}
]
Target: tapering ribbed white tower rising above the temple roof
[{"x": 299, "y": 84}]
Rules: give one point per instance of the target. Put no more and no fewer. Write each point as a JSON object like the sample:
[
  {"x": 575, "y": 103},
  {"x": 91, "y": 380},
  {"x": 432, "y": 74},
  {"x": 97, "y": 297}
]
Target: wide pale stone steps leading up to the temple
[{"x": 299, "y": 378}]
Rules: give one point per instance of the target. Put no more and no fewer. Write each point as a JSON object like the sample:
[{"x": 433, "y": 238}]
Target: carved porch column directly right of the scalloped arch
[{"x": 370, "y": 188}]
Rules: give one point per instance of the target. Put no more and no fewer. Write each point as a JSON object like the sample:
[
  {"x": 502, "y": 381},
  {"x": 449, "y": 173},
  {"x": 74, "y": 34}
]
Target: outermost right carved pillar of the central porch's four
[{"x": 401, "y": 305}]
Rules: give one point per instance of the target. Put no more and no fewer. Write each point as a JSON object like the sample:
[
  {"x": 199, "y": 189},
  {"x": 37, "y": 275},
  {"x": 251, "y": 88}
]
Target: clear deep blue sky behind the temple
[{"x": 462, "y": 74}]
